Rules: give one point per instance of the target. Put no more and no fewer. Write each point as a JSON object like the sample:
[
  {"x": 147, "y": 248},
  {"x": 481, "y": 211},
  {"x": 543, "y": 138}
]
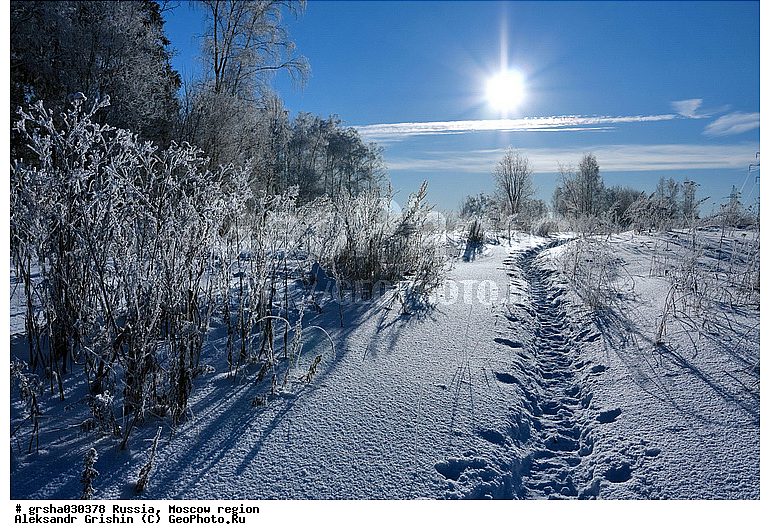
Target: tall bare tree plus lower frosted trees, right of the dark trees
[{"x": 232, "y": 114}]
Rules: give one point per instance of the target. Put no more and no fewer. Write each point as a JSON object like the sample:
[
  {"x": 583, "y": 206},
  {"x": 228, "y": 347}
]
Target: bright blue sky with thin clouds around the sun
[{"x": 652, "y": 89}]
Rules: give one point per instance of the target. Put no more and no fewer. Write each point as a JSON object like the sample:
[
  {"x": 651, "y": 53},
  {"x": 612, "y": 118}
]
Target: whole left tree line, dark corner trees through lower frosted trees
[{"x": 97, "y": 49}]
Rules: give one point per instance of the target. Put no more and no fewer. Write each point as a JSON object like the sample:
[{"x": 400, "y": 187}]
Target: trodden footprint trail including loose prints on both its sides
[{"x": 559, "y": 404}]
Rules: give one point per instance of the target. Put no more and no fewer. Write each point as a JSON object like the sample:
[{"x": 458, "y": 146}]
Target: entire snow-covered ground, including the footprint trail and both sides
[{"x": 516, "y": 385}]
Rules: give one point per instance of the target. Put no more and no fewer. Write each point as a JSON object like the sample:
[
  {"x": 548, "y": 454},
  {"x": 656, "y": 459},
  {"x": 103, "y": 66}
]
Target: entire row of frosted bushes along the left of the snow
[{"x": 128, "y": 253}]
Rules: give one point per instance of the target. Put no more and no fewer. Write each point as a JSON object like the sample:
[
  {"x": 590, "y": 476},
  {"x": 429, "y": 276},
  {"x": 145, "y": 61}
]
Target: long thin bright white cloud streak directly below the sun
[{"x": 396, "y": 131}]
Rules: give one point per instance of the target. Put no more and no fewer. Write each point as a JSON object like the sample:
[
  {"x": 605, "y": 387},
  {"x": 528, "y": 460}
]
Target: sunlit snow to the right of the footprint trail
[{"x": 686, "y": 411}]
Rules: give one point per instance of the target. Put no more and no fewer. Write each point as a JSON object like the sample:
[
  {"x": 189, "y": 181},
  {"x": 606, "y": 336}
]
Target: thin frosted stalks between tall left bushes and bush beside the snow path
[{"x": 262, "y": 255}]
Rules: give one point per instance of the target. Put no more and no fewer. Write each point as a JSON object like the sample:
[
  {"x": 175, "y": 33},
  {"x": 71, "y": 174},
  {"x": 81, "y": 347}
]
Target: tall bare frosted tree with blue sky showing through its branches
[{"x": 231, "y": 112}]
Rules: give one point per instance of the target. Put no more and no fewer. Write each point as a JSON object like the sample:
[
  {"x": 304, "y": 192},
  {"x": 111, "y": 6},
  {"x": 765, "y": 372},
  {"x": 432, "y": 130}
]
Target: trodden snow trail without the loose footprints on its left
[{"x": 564, "y": 421}]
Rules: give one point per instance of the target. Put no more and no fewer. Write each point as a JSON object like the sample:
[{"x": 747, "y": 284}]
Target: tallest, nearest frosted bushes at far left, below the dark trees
[{"x": 119, "y": 232}]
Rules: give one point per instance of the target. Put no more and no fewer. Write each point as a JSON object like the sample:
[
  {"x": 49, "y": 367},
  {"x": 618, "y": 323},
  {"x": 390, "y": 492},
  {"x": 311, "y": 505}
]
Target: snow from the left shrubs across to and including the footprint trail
[{"x": 482, "y": 397}]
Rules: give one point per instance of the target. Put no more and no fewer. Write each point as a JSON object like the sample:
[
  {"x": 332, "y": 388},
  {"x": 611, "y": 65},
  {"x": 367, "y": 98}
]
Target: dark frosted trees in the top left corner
[{"x": 98, "y": 48}]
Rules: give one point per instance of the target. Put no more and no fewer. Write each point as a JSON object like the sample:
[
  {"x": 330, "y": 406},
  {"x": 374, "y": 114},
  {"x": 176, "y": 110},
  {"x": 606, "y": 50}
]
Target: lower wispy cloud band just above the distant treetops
[{"x": 620, "y": 157}]
